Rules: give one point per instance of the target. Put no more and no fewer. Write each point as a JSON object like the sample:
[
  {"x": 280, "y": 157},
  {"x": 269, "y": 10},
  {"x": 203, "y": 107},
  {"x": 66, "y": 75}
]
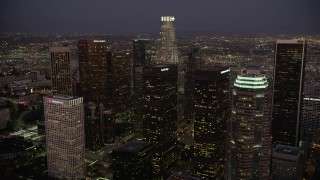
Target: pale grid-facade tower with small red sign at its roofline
[{"x": 65, "y": 139}]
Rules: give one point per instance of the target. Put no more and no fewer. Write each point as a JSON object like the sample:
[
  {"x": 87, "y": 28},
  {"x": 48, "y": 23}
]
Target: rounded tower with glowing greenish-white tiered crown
[{"x": 249, "y": 138}]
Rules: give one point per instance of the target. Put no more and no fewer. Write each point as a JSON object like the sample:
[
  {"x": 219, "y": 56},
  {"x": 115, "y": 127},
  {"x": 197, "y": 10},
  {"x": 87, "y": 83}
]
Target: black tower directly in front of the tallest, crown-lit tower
[{"x": 160, "y": 114}]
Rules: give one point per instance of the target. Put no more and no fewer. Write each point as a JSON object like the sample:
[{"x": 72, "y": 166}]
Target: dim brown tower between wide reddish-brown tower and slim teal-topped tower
[{"x": 119, "y": 94}]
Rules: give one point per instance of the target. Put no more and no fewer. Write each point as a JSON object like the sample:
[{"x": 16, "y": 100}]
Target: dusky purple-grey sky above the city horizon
[{"x": 143, "y": 16}]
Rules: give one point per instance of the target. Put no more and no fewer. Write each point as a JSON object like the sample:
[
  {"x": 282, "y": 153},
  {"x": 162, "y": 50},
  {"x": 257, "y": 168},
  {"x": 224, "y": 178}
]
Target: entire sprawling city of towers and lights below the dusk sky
[{"x": 227, "y": 134}]
